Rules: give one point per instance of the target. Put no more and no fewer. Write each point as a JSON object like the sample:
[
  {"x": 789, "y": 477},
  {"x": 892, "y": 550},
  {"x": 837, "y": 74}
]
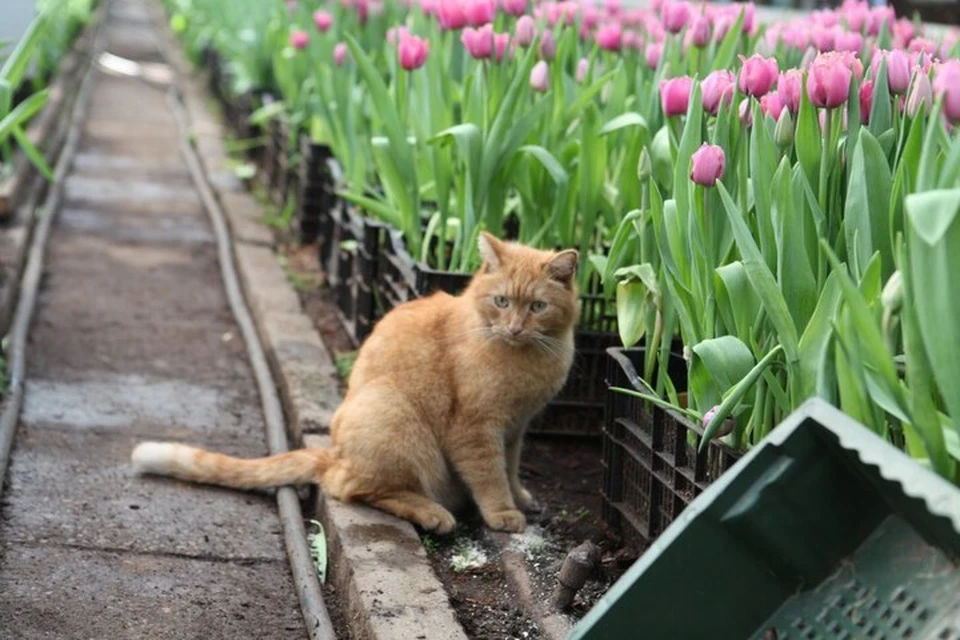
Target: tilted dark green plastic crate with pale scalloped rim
[{"x": 824, "y": 530}]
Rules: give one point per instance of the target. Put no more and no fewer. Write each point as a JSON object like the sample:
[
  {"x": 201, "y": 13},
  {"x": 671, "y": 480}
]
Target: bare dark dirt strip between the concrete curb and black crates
[{"x": 564, "y": 475}]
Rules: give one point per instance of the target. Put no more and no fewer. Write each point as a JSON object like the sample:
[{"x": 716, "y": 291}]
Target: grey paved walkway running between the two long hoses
[{"x": 133, "y": 340}]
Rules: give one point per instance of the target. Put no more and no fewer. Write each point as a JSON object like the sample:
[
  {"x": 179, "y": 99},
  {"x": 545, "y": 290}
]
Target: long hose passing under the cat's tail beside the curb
[{"x": 314, "y": 611}]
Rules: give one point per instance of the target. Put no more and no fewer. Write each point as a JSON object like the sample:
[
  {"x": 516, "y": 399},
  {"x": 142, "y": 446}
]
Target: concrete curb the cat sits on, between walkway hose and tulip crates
[{"x": 377, "y": 563}]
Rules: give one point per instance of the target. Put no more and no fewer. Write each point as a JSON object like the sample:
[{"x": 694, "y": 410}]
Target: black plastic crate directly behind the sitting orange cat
[{"x": 578, "y": 409}]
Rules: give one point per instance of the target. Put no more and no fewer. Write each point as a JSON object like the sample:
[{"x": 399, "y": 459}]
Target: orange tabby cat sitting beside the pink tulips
[{"x": 438, "y": 400}]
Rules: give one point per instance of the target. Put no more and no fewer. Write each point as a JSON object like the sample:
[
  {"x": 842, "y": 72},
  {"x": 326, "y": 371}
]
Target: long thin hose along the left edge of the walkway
[{"x": 32, "y": 274}]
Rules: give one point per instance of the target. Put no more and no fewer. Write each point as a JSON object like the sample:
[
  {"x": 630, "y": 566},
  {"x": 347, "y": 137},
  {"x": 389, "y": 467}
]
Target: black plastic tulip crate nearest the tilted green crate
[{"x": 651, "y": 467}]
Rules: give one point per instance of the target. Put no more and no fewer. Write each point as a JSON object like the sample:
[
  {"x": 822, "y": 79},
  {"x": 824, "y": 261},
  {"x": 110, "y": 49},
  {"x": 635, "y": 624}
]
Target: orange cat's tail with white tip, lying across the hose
[{"x": 301, "y": 466}]
